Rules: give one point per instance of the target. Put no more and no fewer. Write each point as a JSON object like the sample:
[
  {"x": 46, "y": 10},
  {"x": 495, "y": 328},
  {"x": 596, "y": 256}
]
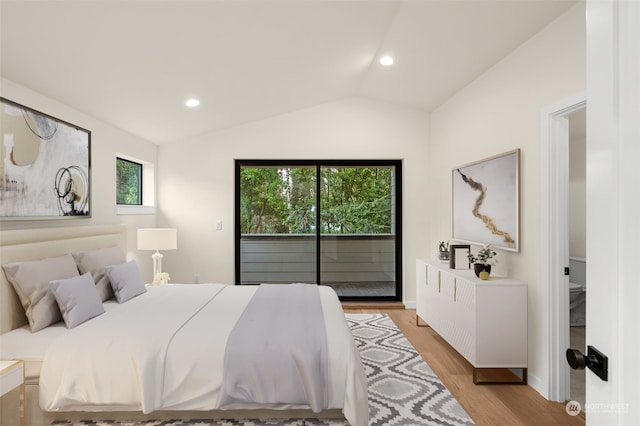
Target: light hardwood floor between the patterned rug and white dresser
[{"x": 486, "y": 404}]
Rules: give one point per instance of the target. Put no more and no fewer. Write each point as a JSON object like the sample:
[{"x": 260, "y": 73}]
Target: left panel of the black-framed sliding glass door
[{"x": 277, "y": 217}]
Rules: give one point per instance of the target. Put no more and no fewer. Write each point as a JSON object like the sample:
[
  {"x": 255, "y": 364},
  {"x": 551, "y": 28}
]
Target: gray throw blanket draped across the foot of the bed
[{"x": 277, "y": 351}]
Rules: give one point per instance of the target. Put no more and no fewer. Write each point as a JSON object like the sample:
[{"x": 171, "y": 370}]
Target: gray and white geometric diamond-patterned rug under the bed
[{"x": 403, "y": 390}]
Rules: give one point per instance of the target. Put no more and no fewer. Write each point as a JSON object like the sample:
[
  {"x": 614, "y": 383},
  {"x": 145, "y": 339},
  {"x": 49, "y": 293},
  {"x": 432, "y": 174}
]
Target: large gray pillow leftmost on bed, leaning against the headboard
[{"x": 31, "y": 280}]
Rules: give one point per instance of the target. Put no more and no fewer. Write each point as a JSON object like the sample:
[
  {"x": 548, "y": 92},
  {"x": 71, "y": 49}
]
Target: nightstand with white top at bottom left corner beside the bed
[{"x": 11, "y": 392}]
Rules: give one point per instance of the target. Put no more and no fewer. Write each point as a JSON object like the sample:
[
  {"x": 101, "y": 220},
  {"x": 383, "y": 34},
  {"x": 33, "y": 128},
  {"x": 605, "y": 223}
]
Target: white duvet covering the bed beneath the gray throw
[{"x": 164, "y": 350}]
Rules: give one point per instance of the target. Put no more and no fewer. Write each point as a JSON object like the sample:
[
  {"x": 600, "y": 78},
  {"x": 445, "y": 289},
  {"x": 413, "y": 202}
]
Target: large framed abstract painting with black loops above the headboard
[{"x": 45, "y": 166}]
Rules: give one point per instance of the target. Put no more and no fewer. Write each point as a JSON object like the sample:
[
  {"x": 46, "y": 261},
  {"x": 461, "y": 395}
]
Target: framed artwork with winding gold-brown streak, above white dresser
[{"x": 486, "y": 201}]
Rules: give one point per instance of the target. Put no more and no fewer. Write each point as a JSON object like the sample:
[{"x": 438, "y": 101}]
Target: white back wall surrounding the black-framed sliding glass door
[{"x": 196, "y": 179}]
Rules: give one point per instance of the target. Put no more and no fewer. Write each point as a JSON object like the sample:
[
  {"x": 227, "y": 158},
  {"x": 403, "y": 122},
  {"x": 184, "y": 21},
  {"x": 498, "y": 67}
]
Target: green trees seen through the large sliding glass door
[{"x": 353, "y": 200}]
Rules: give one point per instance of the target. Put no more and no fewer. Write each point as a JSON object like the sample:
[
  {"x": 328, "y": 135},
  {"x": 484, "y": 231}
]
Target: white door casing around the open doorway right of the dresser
[{"x": 554, "y": 242}]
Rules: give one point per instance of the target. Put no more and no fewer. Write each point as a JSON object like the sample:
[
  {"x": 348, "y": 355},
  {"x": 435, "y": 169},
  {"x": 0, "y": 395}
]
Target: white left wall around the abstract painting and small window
[{"x": 106, "y": 140}]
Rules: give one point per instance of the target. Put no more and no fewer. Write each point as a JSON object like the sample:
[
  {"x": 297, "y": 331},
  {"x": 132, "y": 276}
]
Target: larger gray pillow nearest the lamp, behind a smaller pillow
[{"x": 95, "y": 261}]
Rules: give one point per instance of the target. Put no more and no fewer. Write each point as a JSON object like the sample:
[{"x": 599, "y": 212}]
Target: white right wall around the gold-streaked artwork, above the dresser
[{"x": 498, "y": 112}]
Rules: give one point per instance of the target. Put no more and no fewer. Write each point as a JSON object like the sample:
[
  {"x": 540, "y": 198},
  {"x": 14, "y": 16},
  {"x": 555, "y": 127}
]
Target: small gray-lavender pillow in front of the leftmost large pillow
[{"x": 77, "y": 298}]
